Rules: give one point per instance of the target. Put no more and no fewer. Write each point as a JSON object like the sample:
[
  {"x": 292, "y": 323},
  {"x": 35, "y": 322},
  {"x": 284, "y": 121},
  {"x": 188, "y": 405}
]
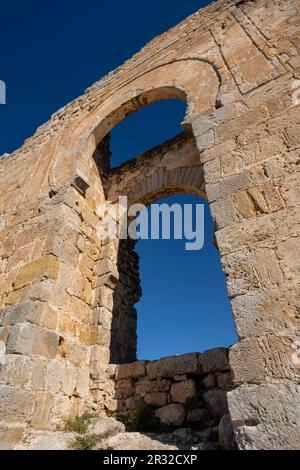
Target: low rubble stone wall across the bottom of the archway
[{"x": 186, "y": 391}]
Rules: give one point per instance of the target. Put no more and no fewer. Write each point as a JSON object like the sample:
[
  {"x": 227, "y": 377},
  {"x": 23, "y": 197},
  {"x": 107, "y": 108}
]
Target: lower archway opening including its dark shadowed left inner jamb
[{"x": 170, "y": 300}]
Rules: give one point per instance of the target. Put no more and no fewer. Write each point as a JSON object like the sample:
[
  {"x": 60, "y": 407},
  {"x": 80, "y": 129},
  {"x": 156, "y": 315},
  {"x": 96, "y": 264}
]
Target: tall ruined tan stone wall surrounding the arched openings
[{"x": 236, "y": 64}]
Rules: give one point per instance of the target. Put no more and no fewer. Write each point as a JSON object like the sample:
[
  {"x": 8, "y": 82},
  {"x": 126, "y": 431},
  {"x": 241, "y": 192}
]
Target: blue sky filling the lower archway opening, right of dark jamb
[{"x": 184, "y": 305}]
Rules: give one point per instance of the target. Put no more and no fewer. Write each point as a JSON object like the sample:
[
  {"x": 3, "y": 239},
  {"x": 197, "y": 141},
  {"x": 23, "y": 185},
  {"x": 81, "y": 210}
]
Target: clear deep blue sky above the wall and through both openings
[{"x": 51, "y": 52}]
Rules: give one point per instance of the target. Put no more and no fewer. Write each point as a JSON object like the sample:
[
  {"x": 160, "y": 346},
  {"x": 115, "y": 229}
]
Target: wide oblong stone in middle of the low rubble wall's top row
[{"x": 174, "y": 365}]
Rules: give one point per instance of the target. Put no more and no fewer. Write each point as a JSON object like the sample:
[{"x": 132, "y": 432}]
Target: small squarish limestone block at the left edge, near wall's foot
[{"x": 15, "y": 404}]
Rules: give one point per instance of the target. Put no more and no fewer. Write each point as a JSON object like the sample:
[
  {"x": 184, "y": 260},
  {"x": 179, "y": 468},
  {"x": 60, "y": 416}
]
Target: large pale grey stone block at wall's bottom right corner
[{"x": 274, "y": 429}]
